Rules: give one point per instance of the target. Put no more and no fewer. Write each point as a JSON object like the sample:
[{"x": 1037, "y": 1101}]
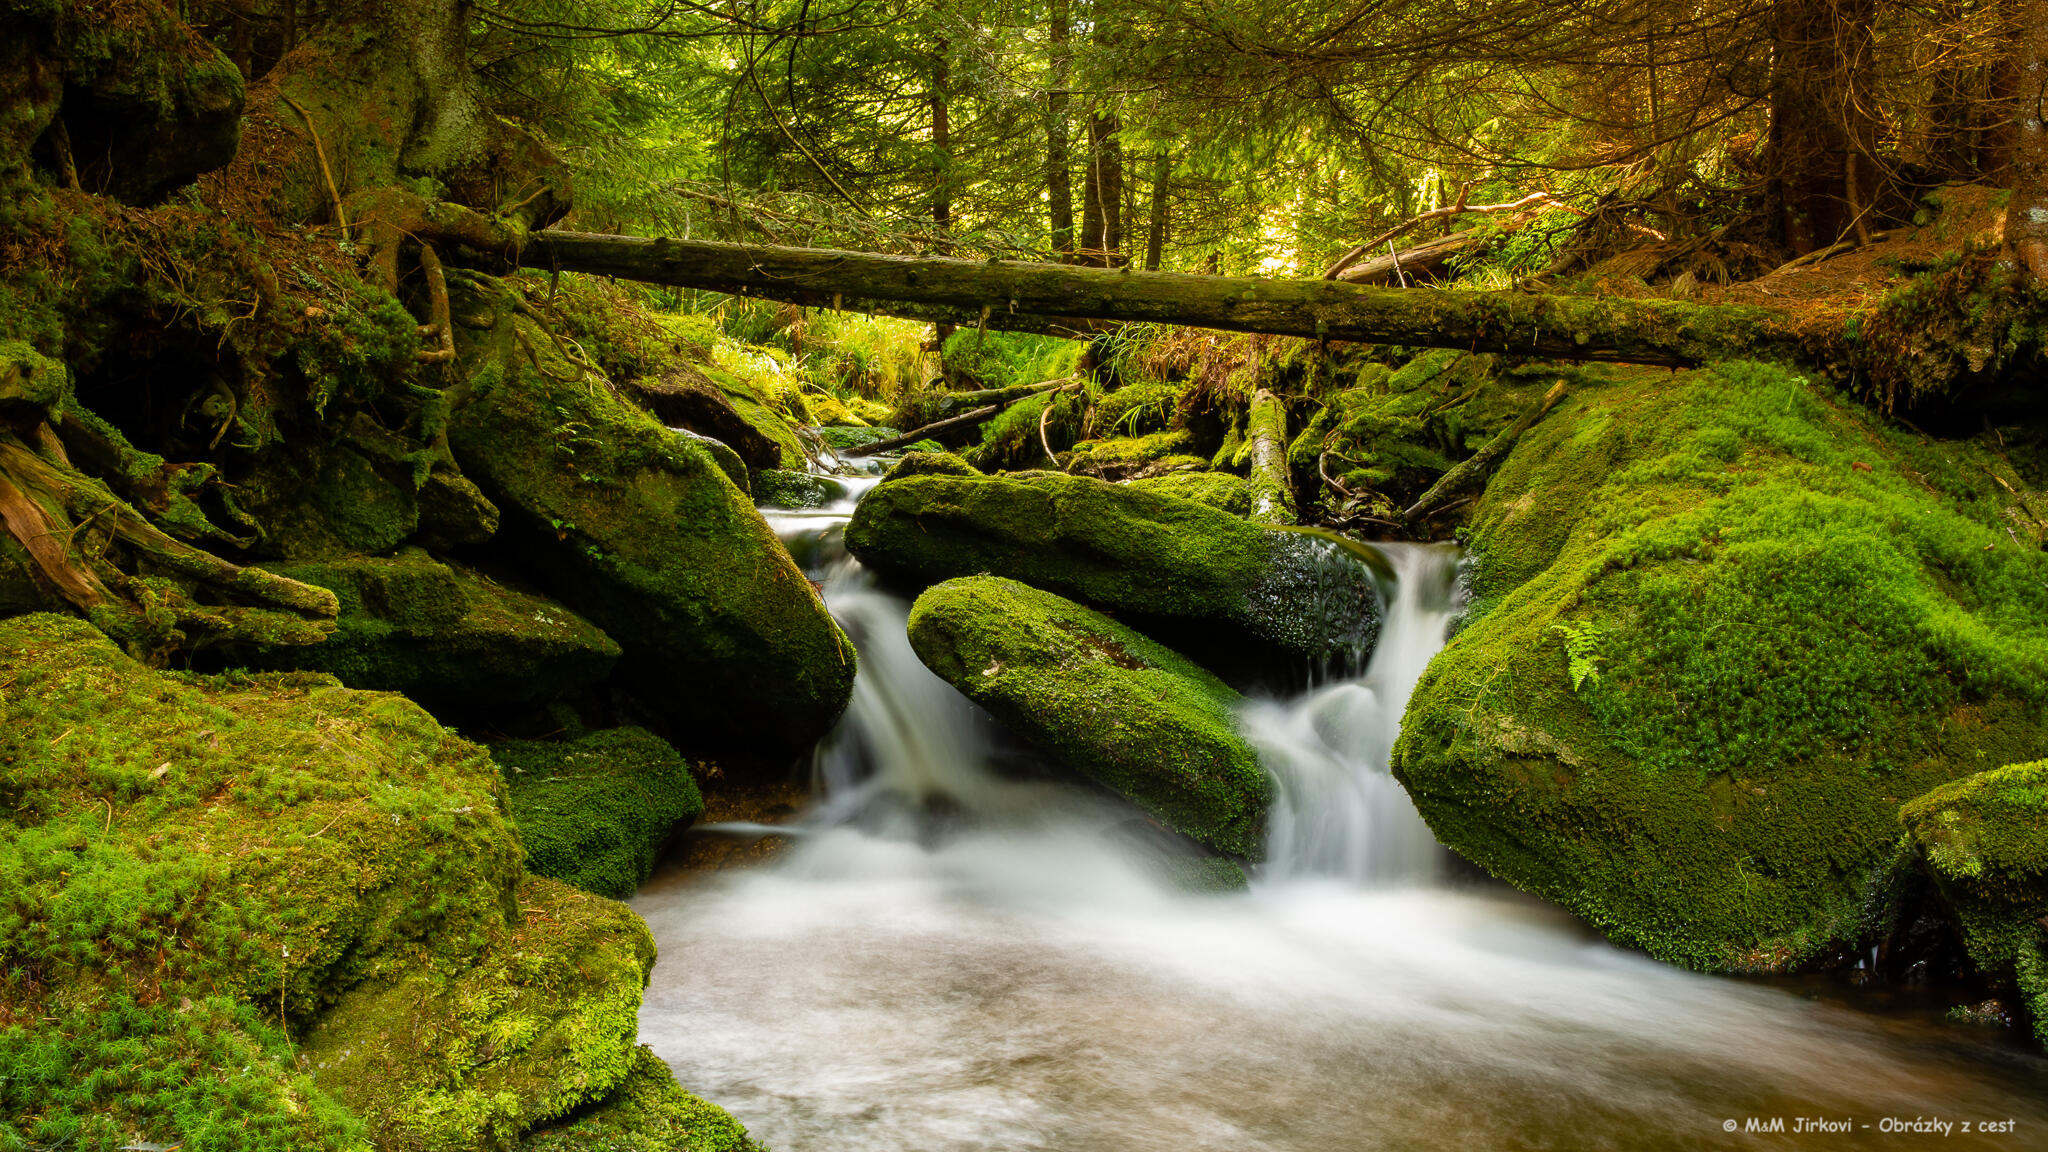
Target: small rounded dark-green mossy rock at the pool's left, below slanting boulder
[{"x": 595, "y": 813}]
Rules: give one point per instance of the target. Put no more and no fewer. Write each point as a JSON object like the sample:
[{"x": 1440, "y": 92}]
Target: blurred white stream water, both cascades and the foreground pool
[{"x": 957, "y": 956}]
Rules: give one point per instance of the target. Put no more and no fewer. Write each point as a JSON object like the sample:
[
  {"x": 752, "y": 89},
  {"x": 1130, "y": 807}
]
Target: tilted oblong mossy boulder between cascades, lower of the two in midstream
[{"x": 1115, "y": 706}]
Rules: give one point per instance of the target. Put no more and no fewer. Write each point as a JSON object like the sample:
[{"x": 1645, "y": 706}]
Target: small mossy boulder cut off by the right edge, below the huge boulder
[{"x": 1986, "y": 844}]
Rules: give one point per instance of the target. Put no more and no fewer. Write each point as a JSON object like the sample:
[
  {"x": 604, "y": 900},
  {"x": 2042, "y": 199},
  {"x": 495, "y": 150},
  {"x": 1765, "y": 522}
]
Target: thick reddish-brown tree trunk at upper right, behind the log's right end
[{"x": 1822, "y": 138}]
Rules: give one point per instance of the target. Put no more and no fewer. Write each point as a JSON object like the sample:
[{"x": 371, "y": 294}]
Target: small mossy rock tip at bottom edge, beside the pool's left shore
[{"x": 648, "y": 1114}]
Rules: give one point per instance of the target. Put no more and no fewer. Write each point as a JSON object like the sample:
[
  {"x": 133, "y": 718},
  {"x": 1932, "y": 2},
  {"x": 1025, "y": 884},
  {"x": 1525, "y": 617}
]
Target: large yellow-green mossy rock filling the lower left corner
[{"x": 194, "y": 862}]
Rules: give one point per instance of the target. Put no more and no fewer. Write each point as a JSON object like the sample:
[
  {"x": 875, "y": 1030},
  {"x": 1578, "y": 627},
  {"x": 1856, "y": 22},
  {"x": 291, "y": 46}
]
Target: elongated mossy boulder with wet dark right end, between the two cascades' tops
[{"x": 1123, "y": 550}]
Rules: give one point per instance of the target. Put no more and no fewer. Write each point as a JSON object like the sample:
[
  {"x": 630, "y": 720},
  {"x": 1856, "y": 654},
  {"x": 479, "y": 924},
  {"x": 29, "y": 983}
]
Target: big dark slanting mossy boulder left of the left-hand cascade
[{"x": 640, "y": 532}]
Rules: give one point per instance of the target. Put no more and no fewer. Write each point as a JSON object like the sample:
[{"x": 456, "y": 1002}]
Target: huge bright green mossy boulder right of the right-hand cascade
[{"x": 1725, "y": 624}]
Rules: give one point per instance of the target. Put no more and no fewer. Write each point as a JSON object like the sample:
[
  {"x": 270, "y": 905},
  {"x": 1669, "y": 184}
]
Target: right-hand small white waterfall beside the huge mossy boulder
[{"x": 1336, "y": 807}]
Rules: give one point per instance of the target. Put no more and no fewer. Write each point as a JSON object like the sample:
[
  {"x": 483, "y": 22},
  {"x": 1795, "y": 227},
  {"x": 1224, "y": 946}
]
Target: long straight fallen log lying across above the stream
[{"x": 1023, "y": 296}]
